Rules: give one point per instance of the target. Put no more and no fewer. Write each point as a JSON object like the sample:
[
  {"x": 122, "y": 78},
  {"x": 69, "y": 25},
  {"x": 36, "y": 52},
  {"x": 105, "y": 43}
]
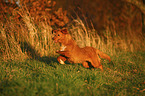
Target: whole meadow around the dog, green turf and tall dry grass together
[{"x": 29, "y": 66}]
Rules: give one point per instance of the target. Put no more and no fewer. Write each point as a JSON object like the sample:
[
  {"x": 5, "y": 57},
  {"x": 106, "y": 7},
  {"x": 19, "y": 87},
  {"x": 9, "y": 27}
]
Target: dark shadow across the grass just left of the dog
[{"x": 32, "y": 53}]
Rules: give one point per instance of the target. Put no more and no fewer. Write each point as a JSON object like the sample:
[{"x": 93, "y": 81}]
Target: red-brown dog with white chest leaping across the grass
[{"x": 71, "y": 52}]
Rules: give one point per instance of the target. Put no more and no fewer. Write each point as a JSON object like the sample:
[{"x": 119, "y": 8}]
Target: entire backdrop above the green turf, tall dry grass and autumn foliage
[{"x": 113, "y": 25}]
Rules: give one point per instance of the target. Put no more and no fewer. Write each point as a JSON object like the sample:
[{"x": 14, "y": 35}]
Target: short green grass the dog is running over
[{"x": 124, "y": 76}]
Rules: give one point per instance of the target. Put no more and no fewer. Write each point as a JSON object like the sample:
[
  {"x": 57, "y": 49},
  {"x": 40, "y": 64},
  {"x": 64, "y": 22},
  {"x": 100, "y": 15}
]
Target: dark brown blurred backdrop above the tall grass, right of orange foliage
[{"x": 122, "y": 13}]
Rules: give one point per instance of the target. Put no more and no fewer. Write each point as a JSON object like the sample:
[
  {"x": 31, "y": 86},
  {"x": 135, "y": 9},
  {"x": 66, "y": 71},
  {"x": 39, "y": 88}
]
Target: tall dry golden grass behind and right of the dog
[{"x": 110, "y": 42}]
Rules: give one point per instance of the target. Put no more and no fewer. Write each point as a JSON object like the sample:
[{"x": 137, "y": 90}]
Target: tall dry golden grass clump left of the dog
[{"x": 25, "y": 37}]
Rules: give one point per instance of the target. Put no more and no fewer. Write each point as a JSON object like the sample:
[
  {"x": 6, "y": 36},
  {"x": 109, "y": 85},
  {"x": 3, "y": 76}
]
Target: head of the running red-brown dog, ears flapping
[{"x": 61, "y": 36}]
